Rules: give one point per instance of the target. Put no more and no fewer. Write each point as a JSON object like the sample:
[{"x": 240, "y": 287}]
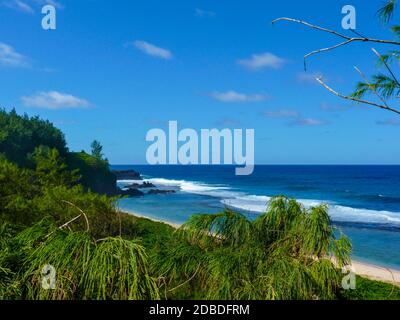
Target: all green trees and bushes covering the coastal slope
[{"x": 49, "y": 216}]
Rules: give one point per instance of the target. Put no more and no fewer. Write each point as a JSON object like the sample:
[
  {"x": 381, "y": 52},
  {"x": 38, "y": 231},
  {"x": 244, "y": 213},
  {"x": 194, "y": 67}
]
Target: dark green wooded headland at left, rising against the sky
[{"x": 30, "y": 142}]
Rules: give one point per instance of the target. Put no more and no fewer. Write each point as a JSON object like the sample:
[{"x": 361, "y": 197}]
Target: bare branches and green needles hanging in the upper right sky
[{"x": 385, "y": 86}]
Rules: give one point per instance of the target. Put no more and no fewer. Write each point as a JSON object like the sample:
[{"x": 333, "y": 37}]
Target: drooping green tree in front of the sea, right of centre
[{"x": 288, "y": 252}]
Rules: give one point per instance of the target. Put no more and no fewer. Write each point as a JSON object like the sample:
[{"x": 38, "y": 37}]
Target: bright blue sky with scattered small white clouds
[{"x": 112, "y": 70}]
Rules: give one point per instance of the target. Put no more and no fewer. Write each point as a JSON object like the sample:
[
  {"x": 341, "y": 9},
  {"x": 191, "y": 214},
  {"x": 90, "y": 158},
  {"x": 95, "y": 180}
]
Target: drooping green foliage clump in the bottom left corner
[{"x": 109, "y": 268}]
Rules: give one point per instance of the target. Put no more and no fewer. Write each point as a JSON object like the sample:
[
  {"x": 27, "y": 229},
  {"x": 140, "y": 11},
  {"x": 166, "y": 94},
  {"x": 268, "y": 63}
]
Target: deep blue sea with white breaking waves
[{"x": 364, "y": 201}]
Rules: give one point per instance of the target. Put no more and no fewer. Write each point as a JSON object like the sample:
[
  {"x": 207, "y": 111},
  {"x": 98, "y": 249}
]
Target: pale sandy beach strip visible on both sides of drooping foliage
[{"x": 368, "y": 270}]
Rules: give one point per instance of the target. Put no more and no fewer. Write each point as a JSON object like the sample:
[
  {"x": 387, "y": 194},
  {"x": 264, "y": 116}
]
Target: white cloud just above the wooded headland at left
[{"x": 54, "y": 100}]
